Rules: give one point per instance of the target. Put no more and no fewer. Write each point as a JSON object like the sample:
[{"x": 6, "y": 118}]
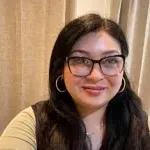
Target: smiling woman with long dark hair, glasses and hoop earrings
[{"x": 91, "y": 104}]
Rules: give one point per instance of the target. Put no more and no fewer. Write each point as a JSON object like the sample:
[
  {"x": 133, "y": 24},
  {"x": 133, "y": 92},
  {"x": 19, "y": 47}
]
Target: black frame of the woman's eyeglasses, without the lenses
[{"x": 94, "y": 62}]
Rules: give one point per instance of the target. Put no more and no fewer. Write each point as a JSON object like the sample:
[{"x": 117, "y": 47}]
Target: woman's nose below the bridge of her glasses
[{"x": 96, "y": 74}]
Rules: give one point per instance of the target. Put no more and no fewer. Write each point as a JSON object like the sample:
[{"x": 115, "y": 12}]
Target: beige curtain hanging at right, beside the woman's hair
[{"x": 134, "y": 17}]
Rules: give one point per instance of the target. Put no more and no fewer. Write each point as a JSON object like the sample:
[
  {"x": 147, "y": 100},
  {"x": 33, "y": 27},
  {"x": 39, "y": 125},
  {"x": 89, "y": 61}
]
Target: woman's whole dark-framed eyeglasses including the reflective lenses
[{"x": 82, "y": 66}]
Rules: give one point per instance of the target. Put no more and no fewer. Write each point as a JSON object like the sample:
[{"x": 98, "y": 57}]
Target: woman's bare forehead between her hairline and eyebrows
[{"x": 97, "y": 43}]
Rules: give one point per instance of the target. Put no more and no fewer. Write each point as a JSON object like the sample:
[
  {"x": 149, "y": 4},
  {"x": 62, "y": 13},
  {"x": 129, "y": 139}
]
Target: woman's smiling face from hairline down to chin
[{"x": 95, "y": 90}]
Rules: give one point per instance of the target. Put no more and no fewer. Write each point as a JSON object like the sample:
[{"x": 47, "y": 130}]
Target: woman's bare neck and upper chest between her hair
[{"x": 94, "y": 120}]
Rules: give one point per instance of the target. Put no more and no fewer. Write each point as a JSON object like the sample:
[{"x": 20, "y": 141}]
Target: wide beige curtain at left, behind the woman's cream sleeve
[{"x": 28, "y": 29}]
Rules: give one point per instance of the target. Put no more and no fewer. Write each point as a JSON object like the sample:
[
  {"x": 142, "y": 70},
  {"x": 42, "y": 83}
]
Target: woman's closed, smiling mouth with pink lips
[{"x": 94, "y": 91}]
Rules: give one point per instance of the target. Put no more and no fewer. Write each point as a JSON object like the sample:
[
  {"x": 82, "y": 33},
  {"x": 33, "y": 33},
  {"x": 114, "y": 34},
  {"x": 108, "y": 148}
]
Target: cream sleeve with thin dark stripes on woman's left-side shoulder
[{"x": 20, "y": 132}]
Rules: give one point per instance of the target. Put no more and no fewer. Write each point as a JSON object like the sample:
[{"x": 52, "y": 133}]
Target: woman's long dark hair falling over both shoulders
[{"x": 61, "y": 126}]
